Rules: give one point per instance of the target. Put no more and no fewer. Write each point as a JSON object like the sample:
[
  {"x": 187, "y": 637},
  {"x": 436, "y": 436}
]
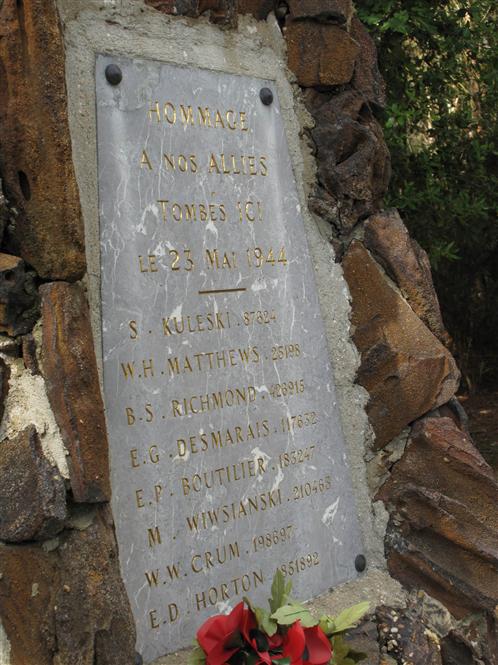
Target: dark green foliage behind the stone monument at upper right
[{"x": 440, "y": 62}]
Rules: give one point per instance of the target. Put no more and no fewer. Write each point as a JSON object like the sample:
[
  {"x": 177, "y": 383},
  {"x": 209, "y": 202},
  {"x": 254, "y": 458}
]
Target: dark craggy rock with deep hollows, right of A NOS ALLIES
[{"x": 352, "y": 157}]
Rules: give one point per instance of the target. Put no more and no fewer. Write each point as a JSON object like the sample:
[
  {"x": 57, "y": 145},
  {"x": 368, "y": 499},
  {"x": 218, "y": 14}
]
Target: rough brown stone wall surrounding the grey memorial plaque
[{"x": 61, "y": 597}]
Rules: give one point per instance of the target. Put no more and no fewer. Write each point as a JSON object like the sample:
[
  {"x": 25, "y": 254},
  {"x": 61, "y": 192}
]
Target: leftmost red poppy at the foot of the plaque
[{"x": 221, "y": 636}]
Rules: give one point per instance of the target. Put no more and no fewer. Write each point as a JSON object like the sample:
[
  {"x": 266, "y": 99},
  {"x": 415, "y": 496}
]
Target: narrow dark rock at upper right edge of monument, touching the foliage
[{"x": 367, "y": 78}]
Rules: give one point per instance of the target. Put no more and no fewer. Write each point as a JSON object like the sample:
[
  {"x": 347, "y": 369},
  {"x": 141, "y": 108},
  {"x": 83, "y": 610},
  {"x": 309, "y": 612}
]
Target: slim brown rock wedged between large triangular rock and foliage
[{"x": 408, "y": 265}]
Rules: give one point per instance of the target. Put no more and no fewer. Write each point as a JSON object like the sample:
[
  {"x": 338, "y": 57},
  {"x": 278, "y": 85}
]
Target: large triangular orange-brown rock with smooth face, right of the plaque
[{"x": 405, "y": 369}]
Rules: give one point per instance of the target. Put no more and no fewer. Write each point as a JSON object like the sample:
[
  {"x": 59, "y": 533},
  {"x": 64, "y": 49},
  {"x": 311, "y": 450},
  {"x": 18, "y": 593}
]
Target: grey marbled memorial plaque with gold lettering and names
[{"x": 227, "y": 458}]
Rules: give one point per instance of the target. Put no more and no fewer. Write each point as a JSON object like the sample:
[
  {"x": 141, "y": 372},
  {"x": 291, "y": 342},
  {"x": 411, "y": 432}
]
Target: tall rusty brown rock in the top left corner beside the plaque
[{"x": 35, "y": 145}]
